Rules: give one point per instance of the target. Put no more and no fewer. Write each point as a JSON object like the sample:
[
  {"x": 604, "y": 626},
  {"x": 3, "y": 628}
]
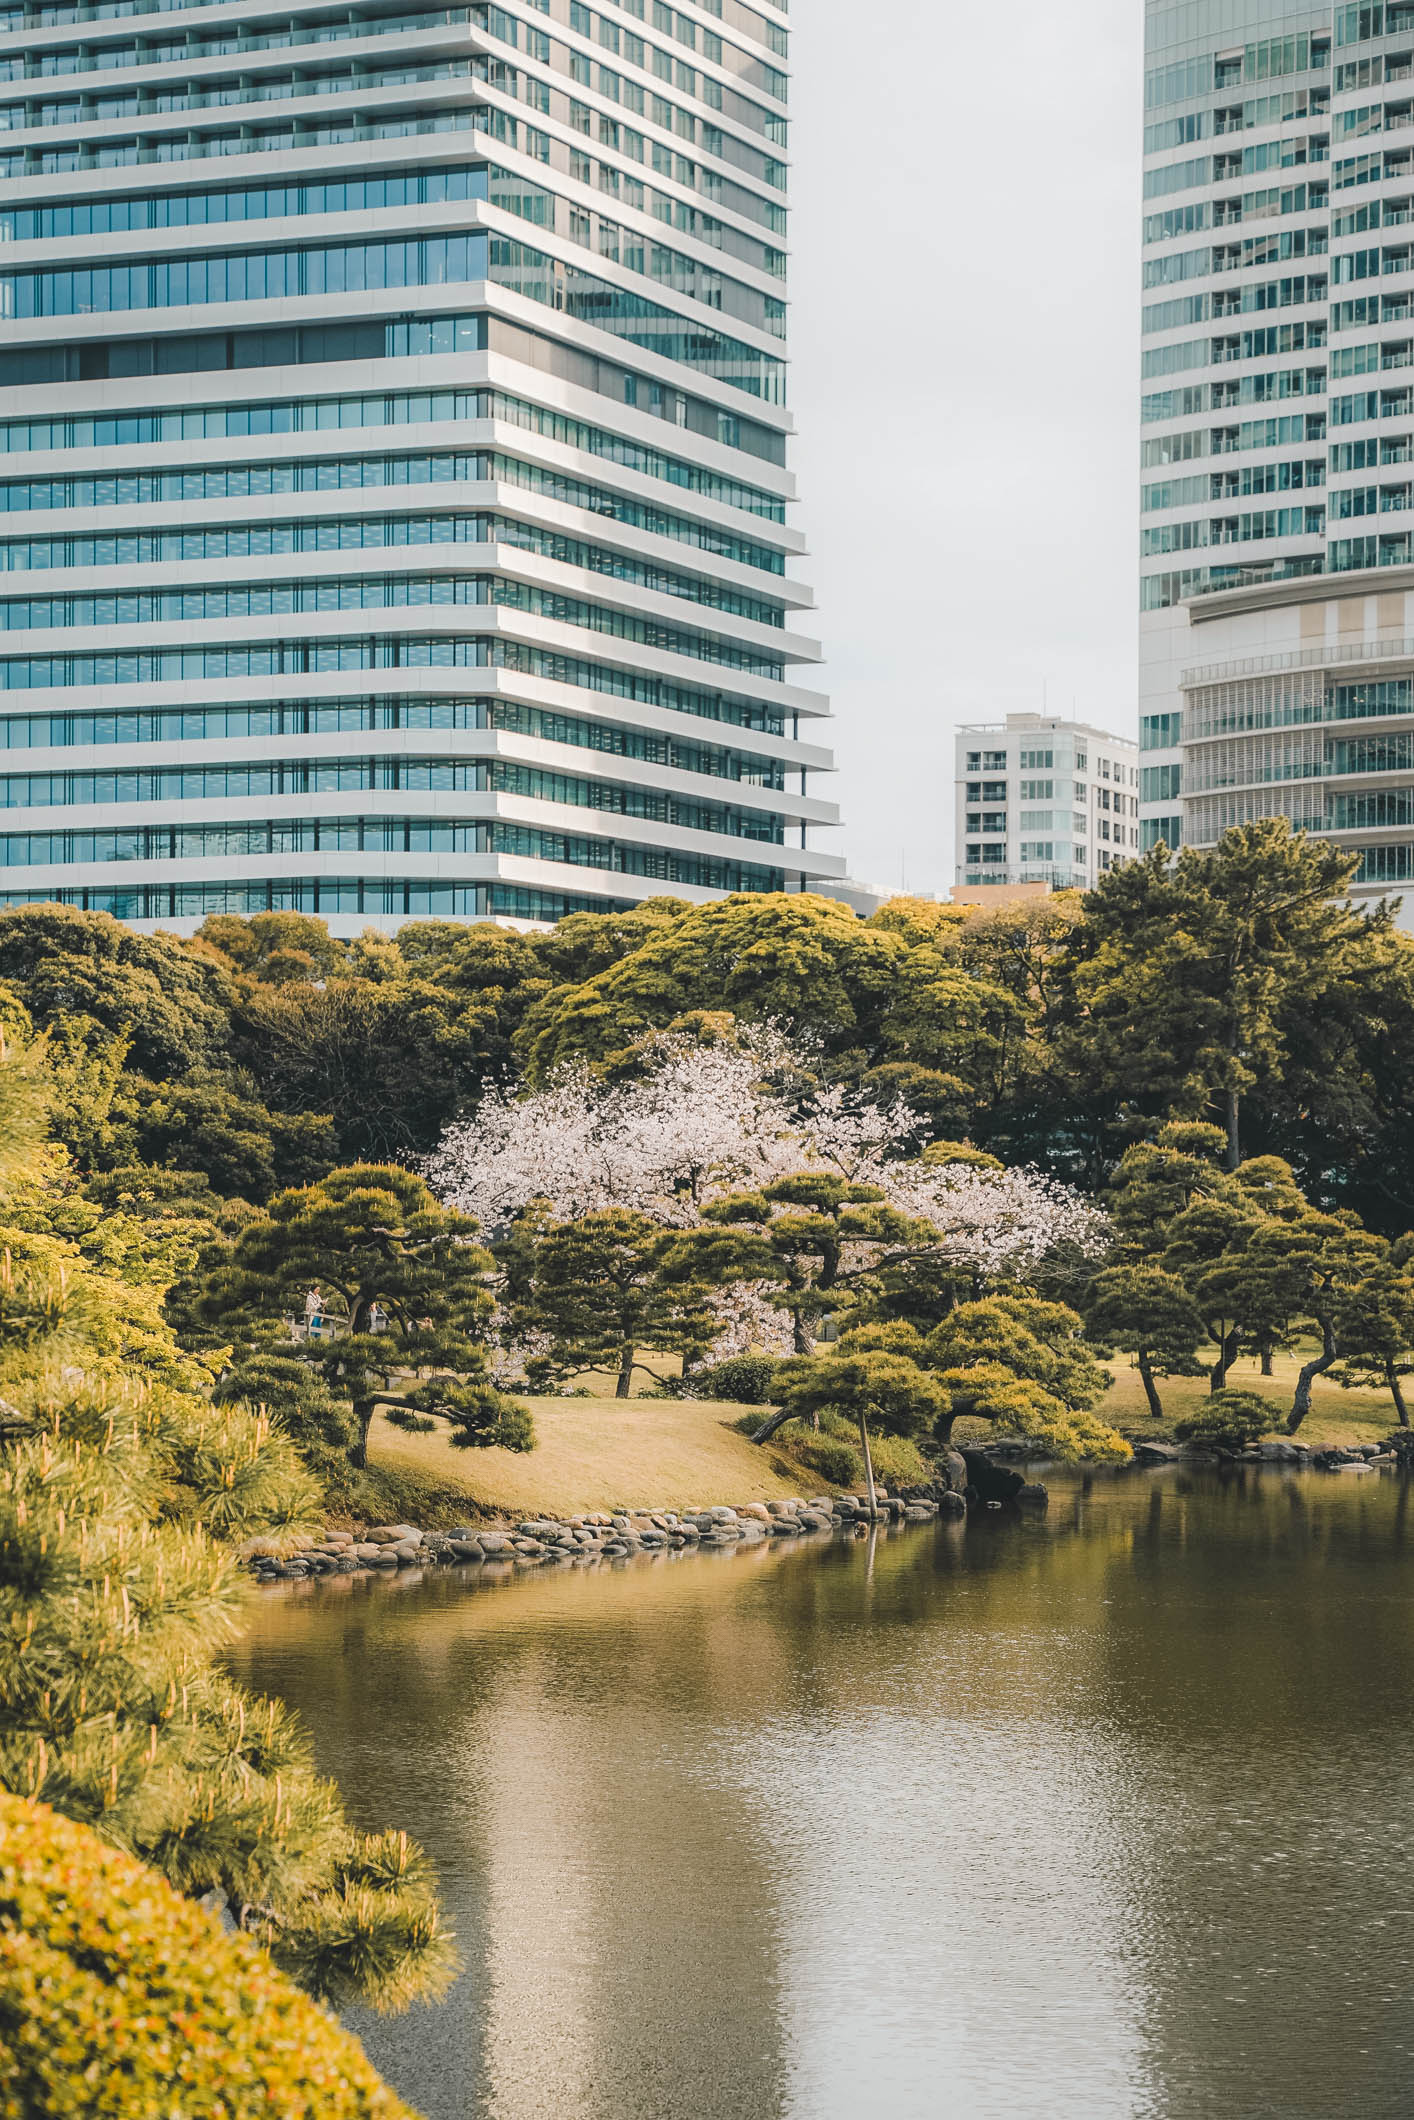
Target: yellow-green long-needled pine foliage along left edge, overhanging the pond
[{"x": 120, "y": 1494}]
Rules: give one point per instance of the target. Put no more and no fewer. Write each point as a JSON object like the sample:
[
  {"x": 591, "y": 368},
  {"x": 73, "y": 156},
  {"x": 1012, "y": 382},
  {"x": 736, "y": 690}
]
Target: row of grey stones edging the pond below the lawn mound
[{"x": 540, "y": 1542}]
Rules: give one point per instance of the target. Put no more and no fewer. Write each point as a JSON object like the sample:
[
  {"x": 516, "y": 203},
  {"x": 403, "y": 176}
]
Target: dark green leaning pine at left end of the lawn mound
[{"x": 404, "y": 1286}]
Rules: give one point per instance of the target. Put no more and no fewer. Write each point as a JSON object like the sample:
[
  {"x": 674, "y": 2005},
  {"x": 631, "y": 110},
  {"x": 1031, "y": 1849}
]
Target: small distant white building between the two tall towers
[{"x": 1044, "y": 802}]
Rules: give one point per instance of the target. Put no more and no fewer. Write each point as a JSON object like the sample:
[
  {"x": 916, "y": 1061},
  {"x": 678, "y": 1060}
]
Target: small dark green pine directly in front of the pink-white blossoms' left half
[{"x": 612, "y": 1284}]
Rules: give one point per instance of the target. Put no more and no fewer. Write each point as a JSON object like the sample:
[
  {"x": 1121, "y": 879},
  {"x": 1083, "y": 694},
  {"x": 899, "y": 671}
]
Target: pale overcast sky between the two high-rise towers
[{"x": 966, "y": 340}]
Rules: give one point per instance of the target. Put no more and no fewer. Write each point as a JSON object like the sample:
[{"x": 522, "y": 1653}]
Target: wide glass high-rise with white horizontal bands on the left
[{"x": 395, "y": 459}]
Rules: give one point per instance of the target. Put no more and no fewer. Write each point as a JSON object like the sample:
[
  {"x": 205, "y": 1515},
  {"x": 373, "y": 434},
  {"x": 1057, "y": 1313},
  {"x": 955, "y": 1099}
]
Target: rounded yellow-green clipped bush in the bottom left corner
[{"x": 124, "y": 2002}]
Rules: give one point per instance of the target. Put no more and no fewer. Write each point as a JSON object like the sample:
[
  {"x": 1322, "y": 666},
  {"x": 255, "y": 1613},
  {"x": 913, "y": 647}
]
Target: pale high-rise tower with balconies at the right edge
[{"x": 1277, "y": 512}]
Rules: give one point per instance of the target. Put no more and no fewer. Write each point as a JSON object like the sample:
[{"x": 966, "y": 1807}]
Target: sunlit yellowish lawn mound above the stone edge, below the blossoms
[{"x": 605, "y": 1455}]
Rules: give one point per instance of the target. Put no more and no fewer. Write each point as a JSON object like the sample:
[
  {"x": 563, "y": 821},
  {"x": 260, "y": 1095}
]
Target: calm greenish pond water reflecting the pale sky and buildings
[{"x": 1097, "y": 1816}]
